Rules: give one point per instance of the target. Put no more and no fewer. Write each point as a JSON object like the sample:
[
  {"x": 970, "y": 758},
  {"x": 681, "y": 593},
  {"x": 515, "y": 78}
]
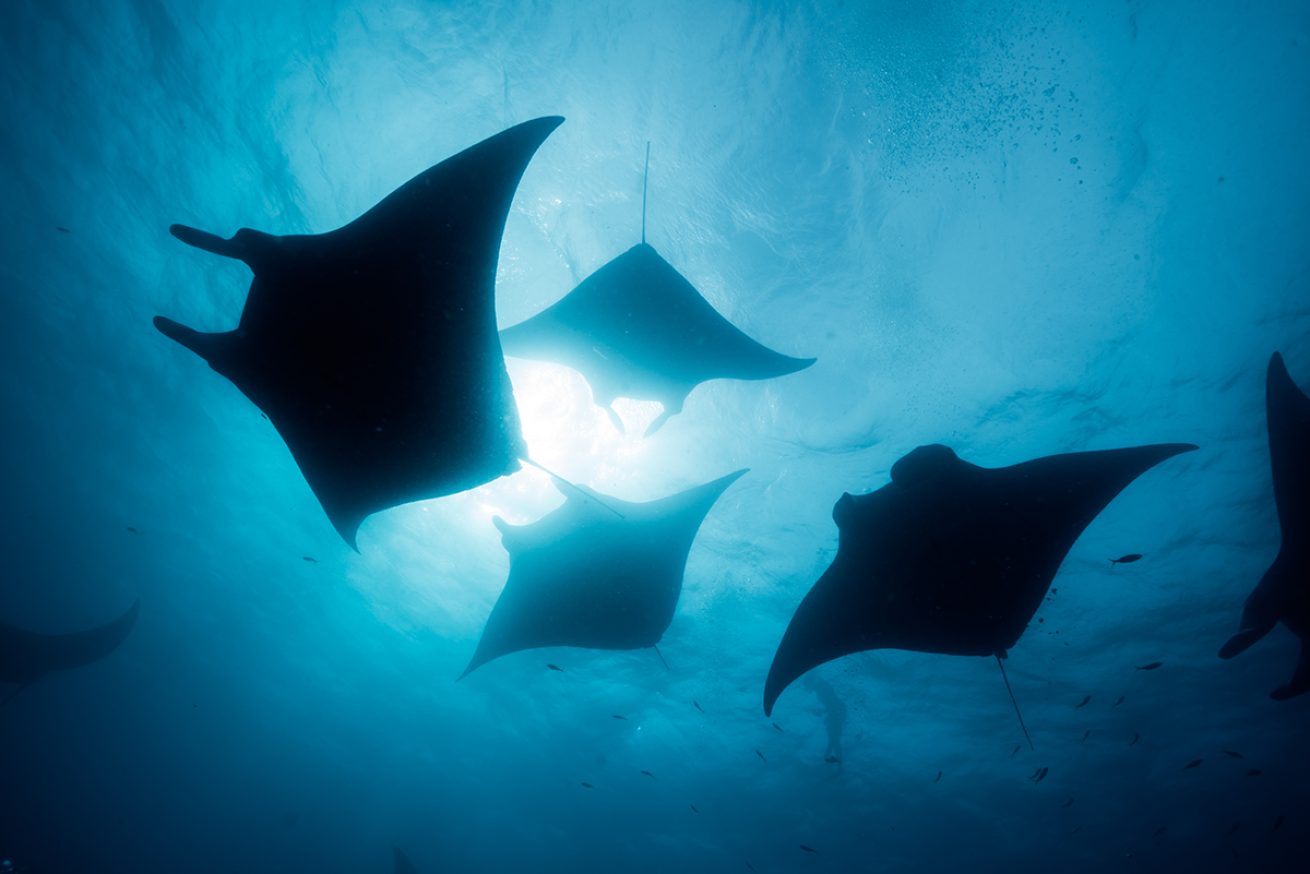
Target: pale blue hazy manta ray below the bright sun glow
[{"x": 585, "y": 577}]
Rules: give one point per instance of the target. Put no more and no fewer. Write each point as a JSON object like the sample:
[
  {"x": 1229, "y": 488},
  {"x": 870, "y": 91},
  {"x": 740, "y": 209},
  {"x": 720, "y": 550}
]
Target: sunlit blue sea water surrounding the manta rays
[{"x": 1013, "y": 230}]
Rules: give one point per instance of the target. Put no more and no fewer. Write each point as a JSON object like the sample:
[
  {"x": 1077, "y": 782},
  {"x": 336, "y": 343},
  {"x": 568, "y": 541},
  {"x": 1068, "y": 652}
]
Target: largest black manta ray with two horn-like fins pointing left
[{"x": 374, "y": 348}]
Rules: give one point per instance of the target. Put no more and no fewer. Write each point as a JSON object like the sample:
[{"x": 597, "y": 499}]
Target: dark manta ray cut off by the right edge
[{"x": 1284, "y": 592}]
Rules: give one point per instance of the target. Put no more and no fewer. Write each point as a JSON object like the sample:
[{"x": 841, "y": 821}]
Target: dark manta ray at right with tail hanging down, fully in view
[{"x": 950, "y": 558}]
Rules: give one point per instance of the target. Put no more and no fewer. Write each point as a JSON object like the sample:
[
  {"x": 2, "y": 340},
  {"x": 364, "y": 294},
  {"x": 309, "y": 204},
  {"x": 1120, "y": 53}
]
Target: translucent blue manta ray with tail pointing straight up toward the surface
[{"x": 639, "y": 330}]
